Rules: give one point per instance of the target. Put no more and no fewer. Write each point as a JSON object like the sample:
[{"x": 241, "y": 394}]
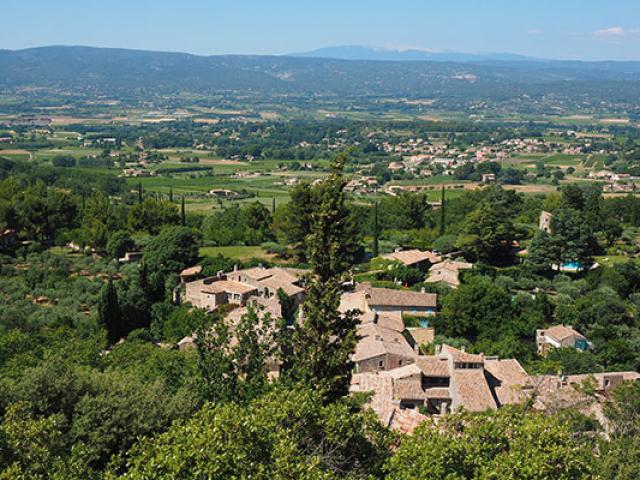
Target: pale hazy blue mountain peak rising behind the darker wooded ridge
[{"x": 358, "y": 52}]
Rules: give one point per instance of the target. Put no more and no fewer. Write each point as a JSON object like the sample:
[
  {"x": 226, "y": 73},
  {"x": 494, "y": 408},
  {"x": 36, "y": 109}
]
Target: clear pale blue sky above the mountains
[{"x": 572, "y": 29}]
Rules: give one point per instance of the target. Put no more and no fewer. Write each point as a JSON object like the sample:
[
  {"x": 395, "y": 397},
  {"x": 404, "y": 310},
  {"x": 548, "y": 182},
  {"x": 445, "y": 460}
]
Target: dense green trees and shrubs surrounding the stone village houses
[{"x": 89, "y": 388}]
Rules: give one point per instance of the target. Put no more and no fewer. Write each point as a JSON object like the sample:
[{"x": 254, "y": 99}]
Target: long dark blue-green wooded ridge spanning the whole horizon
[{"x": 144, "y": 74}]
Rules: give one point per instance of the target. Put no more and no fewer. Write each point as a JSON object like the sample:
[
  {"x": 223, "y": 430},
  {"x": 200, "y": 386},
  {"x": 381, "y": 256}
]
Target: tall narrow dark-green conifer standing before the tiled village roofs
[{"x": 324, "y": 342}]
